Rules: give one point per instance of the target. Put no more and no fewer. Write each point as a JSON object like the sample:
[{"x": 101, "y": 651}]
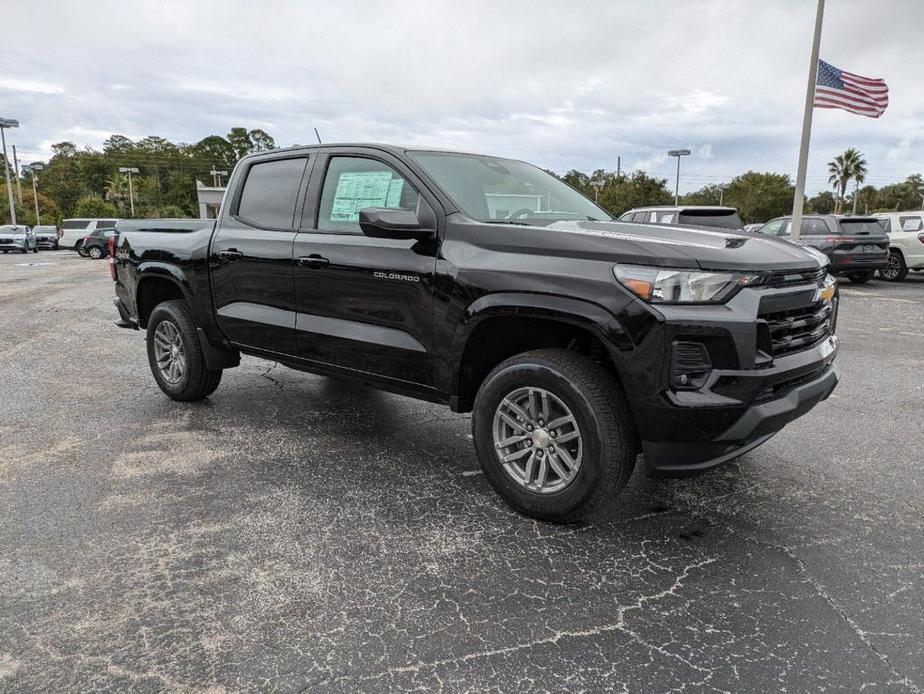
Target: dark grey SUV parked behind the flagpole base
[{"x": 856, "y": 246}]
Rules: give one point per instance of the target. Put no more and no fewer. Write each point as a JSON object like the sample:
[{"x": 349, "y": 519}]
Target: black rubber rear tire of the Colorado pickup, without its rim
[{"x": 197, "y": 382}]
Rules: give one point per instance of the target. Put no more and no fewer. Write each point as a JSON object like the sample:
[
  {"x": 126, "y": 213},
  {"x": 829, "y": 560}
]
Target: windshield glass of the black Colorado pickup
[{"x": 490, "y": 189}]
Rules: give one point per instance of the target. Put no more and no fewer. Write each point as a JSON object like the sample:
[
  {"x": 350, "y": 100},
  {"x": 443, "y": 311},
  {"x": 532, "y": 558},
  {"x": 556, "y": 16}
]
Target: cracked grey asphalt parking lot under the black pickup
[{"x": 296, "y": 533}]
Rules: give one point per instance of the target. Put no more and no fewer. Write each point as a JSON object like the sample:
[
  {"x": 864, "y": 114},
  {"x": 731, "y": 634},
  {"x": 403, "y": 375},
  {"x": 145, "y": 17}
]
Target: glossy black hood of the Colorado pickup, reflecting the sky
[{"x": 671, "y": 246}]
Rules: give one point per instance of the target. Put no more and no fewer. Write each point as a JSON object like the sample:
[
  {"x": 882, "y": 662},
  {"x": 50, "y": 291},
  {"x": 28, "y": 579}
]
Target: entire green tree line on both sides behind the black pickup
[{"x": 87, "y": 183}]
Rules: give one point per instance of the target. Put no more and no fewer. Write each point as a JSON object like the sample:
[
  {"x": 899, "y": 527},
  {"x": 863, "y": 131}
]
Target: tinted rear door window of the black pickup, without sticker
[{"x": 270, "y": 193}]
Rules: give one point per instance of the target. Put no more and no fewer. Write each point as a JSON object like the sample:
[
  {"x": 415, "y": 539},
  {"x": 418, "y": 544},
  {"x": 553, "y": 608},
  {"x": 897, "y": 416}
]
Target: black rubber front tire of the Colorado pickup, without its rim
[{"x": 598, "y": 404}]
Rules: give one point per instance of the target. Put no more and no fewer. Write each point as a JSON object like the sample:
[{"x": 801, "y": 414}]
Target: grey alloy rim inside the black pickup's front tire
[{"x": 537, "y": 440}]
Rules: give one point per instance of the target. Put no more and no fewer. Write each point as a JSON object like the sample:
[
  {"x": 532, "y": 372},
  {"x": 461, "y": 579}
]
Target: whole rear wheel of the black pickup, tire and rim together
[{"x": 175, "y": 355}]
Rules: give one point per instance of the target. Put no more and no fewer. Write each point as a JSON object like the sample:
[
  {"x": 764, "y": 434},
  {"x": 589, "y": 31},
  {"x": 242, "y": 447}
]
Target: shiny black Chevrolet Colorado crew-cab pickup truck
[{"x": 489, "y": 285}]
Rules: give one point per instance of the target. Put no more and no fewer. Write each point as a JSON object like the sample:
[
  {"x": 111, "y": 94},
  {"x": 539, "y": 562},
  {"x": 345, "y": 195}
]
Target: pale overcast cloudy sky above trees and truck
[{"x": 562, "y": 84}]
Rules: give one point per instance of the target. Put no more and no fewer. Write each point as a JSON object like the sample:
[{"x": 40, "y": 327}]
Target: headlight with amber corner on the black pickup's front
[{"x": 670, "y": 286}]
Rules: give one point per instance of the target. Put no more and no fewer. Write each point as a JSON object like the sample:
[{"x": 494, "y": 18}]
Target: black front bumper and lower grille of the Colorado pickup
[{"x": 766, "y": 368}]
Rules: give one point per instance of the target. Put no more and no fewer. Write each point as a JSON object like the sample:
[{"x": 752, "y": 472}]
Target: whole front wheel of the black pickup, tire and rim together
[{"x": 553, "y": 434}]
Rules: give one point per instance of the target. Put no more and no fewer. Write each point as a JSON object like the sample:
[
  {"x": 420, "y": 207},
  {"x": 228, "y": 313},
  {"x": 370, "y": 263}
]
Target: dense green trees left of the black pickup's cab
[{"x": 84, "y": 182}]
